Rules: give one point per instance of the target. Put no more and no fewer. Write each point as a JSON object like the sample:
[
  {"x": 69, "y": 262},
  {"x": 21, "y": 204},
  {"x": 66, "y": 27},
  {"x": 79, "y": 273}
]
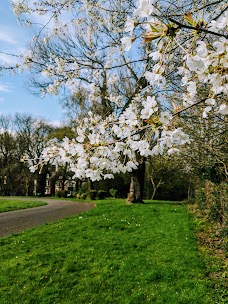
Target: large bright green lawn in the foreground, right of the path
[{"x": 115, "y": 253}]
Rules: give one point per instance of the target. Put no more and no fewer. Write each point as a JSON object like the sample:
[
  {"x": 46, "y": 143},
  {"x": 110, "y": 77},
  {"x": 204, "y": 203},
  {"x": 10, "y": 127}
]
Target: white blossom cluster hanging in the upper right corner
[{"x": 202, "y": 62}]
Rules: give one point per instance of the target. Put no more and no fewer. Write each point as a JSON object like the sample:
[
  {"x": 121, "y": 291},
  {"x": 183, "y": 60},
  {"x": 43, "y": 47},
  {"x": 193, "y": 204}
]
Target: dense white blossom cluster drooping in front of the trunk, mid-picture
[{"x": 102, "y": 148}]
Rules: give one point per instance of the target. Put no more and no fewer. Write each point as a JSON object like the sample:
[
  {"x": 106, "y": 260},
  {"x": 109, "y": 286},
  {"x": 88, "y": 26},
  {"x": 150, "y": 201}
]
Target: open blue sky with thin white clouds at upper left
[{"x": 14, "y": 97}]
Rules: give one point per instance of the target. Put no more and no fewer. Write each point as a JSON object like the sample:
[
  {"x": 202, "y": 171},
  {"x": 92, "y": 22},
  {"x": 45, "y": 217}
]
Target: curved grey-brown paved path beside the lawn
[{"x": 19, "y": 220}]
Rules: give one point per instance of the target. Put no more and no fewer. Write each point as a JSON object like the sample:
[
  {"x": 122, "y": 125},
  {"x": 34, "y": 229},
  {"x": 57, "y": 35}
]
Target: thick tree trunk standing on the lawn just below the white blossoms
[{"x": 135, "y": 195}]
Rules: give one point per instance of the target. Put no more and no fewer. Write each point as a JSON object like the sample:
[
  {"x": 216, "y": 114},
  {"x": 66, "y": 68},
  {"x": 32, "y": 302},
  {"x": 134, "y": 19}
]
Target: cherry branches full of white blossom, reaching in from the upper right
[{"x": 187, "y": 46}]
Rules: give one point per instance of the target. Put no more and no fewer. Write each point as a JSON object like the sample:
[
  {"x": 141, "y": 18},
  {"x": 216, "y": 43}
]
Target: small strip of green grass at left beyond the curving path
[{"x": 11, "y": 204}]
